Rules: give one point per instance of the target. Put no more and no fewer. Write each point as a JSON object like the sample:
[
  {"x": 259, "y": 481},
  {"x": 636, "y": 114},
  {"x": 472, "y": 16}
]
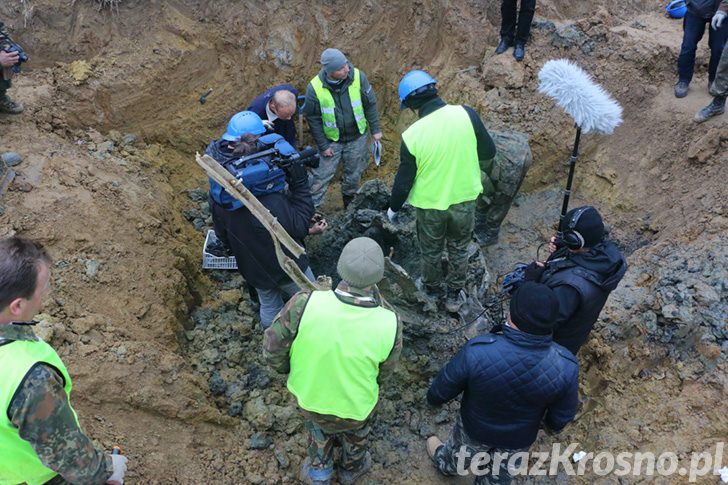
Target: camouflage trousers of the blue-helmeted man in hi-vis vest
[{"x": 450, "y": 229}]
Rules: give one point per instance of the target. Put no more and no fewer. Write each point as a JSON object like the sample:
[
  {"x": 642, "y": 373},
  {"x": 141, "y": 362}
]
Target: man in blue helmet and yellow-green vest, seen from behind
[{"x": 439, "y": 174}]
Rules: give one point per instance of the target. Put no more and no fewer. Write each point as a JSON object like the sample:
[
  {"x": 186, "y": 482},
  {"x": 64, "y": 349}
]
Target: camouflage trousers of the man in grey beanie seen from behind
[{"x": 323, "y": 439}]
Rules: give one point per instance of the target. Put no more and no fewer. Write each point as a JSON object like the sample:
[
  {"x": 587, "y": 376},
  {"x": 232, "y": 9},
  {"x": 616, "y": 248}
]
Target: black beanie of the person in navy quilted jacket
[{"x": 534, "y": 308}]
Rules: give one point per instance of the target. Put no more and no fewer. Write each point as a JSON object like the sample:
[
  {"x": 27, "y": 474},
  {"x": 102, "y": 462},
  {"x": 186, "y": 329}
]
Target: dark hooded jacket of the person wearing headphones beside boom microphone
[{"x": 582, "y": 283}]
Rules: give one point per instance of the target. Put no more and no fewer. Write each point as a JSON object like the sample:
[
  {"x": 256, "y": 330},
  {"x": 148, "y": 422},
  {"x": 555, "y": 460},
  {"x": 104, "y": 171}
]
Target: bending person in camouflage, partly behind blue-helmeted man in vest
[{"x": 501, "y": 177}]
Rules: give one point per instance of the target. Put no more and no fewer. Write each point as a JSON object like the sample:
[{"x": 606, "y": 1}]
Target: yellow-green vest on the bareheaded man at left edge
[{"x": 18, "y": 461}]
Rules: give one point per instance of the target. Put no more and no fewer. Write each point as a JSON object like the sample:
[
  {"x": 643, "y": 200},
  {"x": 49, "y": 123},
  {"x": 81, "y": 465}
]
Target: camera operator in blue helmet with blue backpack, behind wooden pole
[{"x": 241, "y": 232}]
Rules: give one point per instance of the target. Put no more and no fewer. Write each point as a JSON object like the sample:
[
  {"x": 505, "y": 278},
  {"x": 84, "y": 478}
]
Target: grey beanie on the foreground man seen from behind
[{"x": 361, "y": 263}]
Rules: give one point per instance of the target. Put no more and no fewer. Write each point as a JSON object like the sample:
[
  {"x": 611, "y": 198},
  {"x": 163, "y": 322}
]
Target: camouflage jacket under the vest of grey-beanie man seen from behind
[{"x": 280, "y": 336}]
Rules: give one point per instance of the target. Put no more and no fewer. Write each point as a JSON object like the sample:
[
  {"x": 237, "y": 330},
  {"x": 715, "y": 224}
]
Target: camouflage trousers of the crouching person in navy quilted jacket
[{"x": 455, "y": 457}]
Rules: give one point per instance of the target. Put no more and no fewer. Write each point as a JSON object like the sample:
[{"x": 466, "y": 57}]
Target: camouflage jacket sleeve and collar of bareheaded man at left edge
[{"x": 43, "y": 416}]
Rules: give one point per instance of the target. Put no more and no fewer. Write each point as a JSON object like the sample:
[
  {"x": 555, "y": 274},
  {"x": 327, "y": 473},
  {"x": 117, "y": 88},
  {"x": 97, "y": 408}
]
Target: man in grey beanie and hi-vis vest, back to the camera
[{"x": 331, "y": 344}]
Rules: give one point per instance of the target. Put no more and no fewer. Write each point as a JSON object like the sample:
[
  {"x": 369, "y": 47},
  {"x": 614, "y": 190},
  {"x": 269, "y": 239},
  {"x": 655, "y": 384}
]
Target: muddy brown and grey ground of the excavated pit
[{"x": 166, "y": 357}]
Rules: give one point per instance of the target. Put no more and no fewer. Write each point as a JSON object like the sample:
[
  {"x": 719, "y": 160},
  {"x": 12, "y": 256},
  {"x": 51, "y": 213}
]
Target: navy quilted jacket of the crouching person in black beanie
[{"x": 511, "y": 382}]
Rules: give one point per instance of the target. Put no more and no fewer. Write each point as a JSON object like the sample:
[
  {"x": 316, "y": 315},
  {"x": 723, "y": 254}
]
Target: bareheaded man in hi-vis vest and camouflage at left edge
[{"x": 40, "y": 438}]
